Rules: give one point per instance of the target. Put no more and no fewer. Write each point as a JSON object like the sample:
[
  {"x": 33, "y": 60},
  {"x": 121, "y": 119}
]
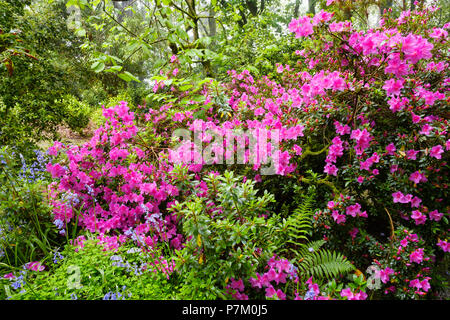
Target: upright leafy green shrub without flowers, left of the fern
[{"x": 228, "y": 234}]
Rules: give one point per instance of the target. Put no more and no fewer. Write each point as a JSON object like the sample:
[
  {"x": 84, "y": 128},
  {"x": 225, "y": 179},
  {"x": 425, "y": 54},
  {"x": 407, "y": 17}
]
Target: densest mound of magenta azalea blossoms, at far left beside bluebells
[{"x": 112, "y": 191}]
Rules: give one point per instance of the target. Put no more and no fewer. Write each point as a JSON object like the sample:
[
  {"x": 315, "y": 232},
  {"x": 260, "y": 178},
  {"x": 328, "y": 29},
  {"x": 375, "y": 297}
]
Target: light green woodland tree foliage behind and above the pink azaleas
[{"x": 57, "y": 52}]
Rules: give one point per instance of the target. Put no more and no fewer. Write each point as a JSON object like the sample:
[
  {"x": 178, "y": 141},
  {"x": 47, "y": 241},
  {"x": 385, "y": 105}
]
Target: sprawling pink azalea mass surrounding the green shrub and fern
[{"x": 361, "y": 115}]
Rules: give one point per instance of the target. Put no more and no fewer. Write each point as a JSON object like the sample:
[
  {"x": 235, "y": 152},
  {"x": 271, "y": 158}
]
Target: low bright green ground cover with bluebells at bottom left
[{"x": 88, "y": 271}]
